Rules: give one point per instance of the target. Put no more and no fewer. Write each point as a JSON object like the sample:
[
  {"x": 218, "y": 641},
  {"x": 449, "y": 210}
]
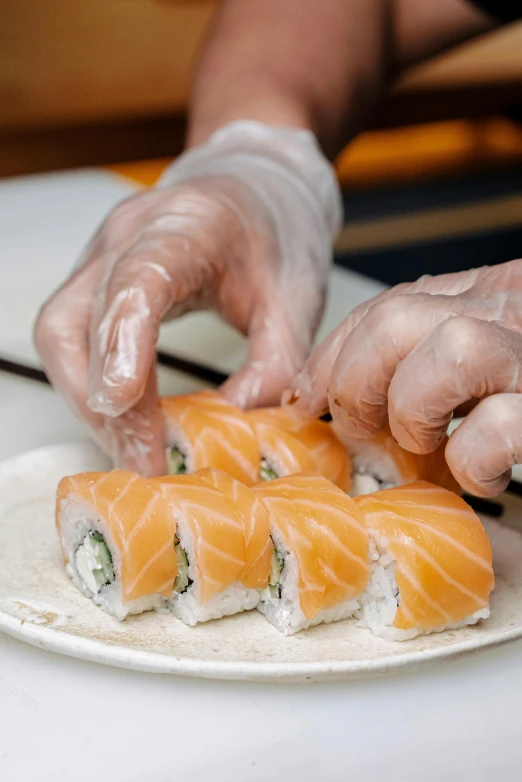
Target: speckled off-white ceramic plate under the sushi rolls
[{"x": 39, "y": 604}]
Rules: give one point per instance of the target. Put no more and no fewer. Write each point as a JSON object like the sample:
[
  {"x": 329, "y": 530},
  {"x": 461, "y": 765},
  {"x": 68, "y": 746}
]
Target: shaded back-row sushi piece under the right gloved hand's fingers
[{"x": 380, "y": 463}]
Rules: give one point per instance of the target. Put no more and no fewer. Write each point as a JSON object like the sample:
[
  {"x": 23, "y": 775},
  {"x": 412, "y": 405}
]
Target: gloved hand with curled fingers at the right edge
[{"x": 417, "y": 353}]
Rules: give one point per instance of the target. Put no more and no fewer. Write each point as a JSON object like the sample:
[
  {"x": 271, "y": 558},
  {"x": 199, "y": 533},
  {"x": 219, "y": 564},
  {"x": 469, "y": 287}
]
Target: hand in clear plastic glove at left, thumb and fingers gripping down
[{"x": 243, "y": 225}]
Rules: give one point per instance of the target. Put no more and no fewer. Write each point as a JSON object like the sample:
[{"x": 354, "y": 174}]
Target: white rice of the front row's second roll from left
[{"x": 231, "y": 600}]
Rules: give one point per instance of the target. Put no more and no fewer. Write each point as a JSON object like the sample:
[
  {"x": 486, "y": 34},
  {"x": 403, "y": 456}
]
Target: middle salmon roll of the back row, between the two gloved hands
[{"x": 291, "y": 442}]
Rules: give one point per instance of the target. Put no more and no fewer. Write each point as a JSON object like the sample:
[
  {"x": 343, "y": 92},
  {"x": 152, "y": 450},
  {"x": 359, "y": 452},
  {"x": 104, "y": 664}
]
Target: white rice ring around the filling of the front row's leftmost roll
[{"x": 77, "y": 519}]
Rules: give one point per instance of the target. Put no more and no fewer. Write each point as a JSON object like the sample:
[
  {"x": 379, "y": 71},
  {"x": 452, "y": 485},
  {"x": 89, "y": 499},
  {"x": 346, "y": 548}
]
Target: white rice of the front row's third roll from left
[{"x": 285, "y": 612}]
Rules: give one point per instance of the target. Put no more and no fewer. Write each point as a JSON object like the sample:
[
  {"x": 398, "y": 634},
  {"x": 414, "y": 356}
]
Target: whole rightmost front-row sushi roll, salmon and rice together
[{"x": 431, "y": 562}]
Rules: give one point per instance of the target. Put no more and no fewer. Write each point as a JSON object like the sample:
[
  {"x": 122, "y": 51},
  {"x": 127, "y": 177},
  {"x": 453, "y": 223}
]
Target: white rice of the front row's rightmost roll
[{"x": 381, "y": 598}]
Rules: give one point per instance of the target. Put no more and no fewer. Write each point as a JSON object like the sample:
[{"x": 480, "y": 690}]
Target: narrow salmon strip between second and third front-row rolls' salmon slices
[{"x": 254, "y": 516}]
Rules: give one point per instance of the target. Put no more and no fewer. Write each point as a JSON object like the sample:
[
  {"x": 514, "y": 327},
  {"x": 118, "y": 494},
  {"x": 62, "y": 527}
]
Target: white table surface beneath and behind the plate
[{"x": 62, "y": 719}]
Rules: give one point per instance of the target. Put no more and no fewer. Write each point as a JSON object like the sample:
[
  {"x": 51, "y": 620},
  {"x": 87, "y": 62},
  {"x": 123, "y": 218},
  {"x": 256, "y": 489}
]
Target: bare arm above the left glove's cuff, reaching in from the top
[{"x": 317, "y": 64}]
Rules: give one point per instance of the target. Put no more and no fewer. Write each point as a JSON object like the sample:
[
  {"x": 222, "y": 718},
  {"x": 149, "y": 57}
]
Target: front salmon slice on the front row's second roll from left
[{"x": 218, "y": 548}]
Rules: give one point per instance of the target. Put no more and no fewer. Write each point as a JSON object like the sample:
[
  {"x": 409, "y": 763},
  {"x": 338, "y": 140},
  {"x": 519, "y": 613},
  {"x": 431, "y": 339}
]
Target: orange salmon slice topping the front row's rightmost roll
[{"x": 443, "y": 555}]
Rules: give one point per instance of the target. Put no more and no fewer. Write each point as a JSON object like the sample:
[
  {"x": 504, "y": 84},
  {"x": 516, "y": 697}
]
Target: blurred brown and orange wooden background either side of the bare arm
[{"x": 104, "y": 81}]
